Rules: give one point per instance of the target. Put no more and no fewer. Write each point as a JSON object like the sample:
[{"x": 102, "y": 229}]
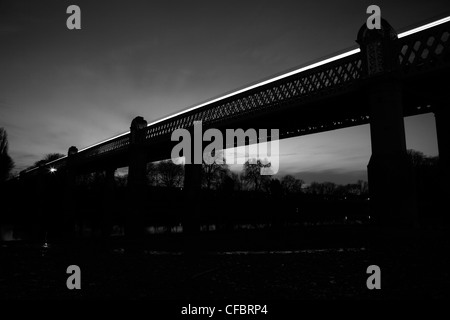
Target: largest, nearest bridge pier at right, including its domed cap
[{"x": 391, "y": 182}]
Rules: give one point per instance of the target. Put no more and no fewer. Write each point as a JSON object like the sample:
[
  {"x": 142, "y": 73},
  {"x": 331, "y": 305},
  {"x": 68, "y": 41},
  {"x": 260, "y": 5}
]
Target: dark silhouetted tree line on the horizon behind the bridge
[{"x": 218, "y": 176}]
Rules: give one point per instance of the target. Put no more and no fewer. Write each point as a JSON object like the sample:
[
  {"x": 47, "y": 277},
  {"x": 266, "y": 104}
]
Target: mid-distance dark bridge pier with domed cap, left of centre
[{"x": 137, "y": 178}]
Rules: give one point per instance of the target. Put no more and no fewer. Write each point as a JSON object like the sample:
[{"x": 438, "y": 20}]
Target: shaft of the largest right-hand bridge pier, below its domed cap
[{"x": 390, "y": 176}]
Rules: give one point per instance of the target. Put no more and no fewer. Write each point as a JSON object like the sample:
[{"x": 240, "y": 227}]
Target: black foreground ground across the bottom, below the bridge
[{"x": 414, "y": 264}]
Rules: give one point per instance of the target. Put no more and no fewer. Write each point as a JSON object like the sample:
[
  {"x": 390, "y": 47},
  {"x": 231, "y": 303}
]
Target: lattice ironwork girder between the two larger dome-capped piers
[{"x": 300, "y": 87}]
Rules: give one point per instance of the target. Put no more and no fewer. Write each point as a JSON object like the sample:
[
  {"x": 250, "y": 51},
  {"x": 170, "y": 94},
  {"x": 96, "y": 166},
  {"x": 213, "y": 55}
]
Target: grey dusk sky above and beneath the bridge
[{"x": 61, "y": 87}]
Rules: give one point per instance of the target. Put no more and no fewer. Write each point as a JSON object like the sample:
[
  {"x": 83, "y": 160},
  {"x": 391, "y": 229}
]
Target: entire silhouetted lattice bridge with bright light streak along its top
[{"x": 389, "y": 76}]
